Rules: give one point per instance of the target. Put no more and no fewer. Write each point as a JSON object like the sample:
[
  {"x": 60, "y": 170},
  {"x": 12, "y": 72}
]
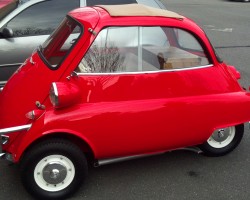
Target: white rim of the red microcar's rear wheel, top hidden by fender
[{"x": 222, "y": 137}]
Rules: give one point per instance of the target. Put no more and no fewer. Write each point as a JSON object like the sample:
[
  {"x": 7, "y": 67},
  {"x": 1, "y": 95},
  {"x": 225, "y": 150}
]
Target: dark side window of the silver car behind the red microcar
[{"x": 41, "y": 18}]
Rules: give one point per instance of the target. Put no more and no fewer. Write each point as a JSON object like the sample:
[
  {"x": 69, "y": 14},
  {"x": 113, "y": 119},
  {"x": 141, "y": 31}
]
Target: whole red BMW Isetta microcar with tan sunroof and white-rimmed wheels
[{"x": 112, "y": 83}]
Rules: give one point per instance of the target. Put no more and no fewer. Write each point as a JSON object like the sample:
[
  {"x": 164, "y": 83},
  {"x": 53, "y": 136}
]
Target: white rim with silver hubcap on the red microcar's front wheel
[{"x": 54, "y": 173}]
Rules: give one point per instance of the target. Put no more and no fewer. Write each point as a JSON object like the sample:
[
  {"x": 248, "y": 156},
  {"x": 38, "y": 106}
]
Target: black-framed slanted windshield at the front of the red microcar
[{"x": 58, "y": 45}]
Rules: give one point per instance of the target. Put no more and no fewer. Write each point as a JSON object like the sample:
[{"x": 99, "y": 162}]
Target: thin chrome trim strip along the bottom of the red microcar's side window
[{"x": 144, "y": 72}]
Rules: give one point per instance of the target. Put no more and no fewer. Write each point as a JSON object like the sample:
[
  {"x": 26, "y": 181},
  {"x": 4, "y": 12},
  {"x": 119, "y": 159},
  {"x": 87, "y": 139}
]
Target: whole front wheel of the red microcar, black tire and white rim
[{"x": 53, "y": 169}]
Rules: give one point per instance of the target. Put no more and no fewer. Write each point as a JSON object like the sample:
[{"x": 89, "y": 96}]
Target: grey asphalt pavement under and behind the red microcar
[{"x": 177, "y": 175}]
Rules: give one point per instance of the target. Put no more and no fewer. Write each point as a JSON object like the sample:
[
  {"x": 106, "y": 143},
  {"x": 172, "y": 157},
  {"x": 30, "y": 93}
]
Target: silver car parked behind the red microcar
[{"x": 30, "y": 24}]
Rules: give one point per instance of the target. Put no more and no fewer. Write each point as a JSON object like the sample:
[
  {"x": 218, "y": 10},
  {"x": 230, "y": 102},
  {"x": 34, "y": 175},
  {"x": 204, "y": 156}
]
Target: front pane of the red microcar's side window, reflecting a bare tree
[{"x": 111, "y": 51}]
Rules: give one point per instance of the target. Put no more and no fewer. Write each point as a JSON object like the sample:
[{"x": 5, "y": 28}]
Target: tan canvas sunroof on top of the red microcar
[{"x": 138, "y": 10}]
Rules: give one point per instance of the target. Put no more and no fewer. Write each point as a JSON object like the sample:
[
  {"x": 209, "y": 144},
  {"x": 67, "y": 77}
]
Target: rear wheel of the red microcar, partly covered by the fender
[{"x": 223, "y": 141}]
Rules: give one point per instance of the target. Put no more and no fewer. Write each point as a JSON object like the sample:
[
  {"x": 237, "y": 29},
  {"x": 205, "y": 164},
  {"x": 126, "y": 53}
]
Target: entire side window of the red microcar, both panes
[{"x": 134, "y": 49}]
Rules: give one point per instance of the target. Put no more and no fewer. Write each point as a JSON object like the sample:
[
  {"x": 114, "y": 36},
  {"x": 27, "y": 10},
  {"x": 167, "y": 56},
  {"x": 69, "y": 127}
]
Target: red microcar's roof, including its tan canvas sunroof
[{"x": 123, "y": 15}]
